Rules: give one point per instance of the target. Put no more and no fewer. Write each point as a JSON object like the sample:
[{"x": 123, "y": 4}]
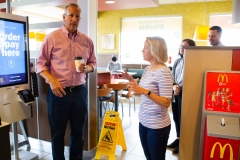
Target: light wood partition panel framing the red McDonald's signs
[{"x": 196, "y": 62}]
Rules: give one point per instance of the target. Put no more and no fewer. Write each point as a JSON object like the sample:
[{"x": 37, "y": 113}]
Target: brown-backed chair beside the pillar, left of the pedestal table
[{"x": 103, "y": 96}]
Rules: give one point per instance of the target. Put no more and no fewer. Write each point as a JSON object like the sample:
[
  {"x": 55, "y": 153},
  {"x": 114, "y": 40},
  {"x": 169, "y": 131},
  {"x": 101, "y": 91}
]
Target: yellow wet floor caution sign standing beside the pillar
[{"x": 111, "y": 136}]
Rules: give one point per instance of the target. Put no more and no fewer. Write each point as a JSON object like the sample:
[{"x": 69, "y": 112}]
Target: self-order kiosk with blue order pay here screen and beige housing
[{"x": 14, "y": 68}]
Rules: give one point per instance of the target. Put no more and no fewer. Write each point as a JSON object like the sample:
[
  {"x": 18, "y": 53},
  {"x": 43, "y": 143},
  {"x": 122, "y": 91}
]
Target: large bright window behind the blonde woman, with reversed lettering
[{"x": 135, "y": 30}]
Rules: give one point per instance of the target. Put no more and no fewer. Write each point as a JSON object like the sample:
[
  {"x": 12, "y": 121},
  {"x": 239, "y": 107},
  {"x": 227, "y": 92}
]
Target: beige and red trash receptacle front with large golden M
[{"x": 221, "y": 138}]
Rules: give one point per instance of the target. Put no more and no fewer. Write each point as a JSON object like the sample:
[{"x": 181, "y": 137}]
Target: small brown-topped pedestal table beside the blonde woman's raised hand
[{"x": 116, "y": 88}]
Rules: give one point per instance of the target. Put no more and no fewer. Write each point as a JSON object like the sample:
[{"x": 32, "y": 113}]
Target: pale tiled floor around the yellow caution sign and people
[{"x": 130, "y": 126}]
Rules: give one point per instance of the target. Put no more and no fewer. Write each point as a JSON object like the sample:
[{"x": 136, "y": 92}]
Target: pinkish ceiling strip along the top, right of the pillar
[{"x": 131, "y": 4}]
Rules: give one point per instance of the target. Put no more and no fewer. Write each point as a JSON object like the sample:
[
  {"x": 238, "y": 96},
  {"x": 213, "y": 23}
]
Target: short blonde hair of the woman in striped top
[{"x": 158, "y": 48}]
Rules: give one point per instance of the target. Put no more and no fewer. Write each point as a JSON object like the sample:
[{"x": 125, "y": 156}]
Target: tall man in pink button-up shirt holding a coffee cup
[{"x": 67, "y": 93}]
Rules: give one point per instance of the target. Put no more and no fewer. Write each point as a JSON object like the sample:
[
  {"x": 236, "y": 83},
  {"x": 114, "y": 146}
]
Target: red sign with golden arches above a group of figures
[{"x": 222, "y": 91}]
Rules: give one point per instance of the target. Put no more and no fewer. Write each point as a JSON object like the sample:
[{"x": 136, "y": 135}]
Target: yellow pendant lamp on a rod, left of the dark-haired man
[{"x": 201, "y": 32}]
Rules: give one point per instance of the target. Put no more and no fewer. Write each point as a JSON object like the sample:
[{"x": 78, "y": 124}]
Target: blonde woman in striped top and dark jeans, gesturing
[{"x": 155, "y": 89}]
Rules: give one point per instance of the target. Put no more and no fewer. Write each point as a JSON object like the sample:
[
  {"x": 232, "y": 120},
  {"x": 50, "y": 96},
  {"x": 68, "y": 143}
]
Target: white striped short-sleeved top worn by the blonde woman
[{"x": 159, "y": 82}]
